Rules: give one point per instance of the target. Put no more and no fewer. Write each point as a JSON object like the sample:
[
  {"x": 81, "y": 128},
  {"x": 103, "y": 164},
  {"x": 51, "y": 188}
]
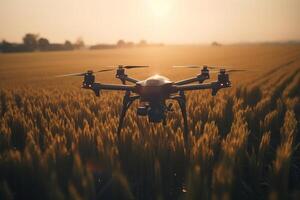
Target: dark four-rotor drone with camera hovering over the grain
[{"x": 154, "y": 91}]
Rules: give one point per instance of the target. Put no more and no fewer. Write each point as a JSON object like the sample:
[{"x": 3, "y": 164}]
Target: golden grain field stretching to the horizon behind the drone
[{"x": 58, "y": 141}]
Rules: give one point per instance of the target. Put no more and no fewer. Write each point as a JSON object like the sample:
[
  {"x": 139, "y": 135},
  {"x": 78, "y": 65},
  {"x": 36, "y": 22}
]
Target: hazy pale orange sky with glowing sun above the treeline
[{"x": 168, "y": 21}]
